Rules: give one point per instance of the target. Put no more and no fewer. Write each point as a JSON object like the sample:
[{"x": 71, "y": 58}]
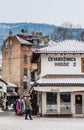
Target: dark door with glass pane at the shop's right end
[{"x": 78, "y": 104}]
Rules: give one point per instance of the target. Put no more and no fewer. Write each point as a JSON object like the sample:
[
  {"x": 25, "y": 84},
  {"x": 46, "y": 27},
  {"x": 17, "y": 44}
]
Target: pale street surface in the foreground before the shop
[{"x": 13, "y": 122}]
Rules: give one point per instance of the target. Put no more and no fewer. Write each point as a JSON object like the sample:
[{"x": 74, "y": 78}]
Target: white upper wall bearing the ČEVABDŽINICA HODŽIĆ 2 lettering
[{"x": 51, "y": 66}]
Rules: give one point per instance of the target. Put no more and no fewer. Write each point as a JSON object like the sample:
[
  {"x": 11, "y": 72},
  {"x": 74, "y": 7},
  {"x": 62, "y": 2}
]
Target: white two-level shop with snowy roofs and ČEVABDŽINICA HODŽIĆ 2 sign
[{"x": 61, "y": 83}]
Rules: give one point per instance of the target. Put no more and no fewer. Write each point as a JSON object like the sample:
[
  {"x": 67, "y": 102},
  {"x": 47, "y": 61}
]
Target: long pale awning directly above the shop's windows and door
[{"x": 59, "y": 89}]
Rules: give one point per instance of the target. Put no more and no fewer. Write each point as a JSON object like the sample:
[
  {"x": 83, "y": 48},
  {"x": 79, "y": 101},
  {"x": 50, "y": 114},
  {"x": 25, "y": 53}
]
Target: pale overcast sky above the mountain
[{"x": 42, "y": 11}]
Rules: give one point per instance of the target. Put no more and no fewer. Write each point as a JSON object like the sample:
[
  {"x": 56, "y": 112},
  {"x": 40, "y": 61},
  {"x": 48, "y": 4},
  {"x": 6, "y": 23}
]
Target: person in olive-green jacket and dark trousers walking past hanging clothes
[{"x": 28, "y": 108}]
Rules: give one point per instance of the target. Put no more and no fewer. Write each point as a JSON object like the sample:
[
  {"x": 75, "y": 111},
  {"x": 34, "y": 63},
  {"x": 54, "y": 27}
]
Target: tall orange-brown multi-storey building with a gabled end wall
[{"x": 16, "y": 61}]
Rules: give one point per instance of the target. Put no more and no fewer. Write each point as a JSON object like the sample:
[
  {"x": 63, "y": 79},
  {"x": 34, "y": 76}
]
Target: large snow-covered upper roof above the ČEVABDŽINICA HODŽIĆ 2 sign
[{"x": 67, "y": 46}]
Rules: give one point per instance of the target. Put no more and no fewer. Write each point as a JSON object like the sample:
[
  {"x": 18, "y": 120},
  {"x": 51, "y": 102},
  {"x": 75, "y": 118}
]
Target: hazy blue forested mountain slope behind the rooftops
[{"x": 57, "y": 33}]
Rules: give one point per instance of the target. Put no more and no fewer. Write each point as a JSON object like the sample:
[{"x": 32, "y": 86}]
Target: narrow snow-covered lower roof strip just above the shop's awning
[{"x": 61, "y": 81}]
